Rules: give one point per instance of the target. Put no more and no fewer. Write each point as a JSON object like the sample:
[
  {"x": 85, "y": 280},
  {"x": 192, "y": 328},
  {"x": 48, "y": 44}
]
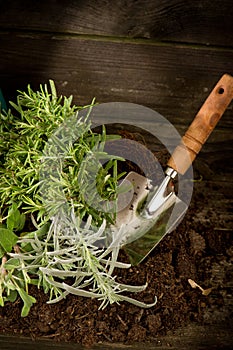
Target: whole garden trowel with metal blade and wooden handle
[{"x": 141, "y": 225}]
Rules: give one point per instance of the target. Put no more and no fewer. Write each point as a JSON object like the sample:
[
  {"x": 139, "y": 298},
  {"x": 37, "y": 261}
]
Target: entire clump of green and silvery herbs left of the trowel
[{"x": 55, "y": 219}]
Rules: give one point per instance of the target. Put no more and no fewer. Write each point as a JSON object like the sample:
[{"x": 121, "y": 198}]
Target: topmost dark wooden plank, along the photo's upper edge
[{"x": 208, "y": 22}]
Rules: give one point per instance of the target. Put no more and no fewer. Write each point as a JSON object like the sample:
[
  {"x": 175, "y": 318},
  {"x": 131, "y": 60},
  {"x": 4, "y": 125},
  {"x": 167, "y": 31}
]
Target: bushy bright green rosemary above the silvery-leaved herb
[{"x": 43, "y": 129}]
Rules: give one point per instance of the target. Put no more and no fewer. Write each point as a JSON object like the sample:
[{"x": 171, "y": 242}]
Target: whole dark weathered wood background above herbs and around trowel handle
[{"x": 163, "y": 54}]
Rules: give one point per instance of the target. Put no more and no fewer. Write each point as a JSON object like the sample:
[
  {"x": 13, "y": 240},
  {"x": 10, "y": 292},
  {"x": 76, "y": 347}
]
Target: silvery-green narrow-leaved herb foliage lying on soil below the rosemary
[{"x": 76, "y": 251}]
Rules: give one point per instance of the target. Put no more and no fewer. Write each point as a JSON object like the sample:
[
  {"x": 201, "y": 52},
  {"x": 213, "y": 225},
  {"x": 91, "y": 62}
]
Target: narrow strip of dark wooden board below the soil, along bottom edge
[{"x": 191, "y": 337}]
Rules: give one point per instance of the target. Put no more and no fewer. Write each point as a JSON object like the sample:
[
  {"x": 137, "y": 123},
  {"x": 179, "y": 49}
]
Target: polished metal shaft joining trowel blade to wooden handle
[{"x": 161, "y": 194}]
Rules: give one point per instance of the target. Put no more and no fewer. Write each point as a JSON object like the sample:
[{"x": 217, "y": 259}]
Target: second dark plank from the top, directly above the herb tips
[{"x": 172, "y": 79}]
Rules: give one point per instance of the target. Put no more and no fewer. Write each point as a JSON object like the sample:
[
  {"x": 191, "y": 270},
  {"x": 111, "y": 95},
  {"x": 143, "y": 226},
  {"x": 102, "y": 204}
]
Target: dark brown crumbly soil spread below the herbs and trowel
[{"x": 199, "y": 249}]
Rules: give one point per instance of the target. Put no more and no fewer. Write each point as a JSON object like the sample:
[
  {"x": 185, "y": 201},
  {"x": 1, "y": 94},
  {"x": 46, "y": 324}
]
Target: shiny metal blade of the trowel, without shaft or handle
[{"x": 140, "y": 234}]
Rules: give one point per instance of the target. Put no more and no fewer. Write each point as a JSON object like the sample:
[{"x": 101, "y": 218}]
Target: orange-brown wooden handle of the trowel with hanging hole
[{"x": 203, "y": 124}]
